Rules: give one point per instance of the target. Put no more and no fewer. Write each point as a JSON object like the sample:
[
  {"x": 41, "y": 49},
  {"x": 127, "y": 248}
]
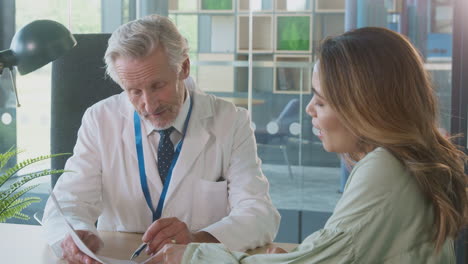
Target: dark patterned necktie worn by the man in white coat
[{"x": 165, "y": 152}]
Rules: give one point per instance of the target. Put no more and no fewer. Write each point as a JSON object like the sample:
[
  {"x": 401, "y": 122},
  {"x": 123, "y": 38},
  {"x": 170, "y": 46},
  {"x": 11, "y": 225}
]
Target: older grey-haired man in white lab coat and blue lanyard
[{"x": 161, "y": 157}]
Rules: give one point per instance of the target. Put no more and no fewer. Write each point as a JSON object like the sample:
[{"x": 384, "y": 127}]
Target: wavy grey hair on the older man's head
[{"x": 137, "y": 39}]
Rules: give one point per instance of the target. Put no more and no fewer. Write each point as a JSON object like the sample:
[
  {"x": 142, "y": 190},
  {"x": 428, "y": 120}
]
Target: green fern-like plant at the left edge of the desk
[{"x": 12, "y": 201}]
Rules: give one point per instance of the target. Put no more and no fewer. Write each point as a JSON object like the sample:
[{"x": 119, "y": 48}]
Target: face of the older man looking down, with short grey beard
[{"x": 156, "y": 91}]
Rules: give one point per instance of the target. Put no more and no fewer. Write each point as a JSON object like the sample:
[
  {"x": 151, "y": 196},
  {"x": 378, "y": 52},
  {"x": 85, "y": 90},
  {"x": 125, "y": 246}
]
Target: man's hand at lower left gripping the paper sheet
[{"x": 73, "y": 255}]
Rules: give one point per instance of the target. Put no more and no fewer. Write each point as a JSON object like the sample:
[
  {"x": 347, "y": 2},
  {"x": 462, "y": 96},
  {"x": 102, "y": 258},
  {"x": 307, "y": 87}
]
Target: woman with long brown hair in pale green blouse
[{"x": 406, "y": 199}]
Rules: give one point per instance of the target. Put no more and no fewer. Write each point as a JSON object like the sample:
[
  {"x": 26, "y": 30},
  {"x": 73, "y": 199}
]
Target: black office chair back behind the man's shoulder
[{"x": 78, "y": 81}]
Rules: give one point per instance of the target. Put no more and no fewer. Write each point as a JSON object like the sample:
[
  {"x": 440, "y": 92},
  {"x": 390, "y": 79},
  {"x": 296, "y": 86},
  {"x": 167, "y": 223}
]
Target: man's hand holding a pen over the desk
[{"x": 172, "y": 231}]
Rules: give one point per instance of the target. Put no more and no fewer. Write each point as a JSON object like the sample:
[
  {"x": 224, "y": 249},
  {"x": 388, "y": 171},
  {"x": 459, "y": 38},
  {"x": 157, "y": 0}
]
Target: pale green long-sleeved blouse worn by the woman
[{"x": 382, "y": 217}]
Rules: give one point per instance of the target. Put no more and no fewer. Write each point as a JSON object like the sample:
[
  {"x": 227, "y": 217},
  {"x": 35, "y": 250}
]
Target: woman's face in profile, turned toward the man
[{"x": 327, "y": 126}]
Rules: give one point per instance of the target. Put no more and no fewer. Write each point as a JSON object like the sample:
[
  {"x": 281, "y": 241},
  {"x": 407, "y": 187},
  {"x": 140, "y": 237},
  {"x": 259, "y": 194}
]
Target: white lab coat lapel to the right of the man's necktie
[{"x": 195, "y": 141}]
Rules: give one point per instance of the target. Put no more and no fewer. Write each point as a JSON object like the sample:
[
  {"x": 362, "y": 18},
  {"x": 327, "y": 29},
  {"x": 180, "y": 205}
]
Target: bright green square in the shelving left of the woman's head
[{"x": 293, "y": 33}]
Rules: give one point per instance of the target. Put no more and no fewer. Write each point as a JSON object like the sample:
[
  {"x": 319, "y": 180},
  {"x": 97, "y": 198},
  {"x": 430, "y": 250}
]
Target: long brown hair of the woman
[{"x": 375, "y": 80}]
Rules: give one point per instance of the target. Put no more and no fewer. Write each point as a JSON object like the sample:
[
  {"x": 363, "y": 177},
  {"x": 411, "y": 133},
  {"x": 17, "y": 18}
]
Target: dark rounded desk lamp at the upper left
[{"x": 35, "y": 45}]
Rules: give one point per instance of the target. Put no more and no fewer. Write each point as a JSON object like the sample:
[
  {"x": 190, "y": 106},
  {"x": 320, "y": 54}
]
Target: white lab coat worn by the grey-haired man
[{"x": 217, "y": 184}]
